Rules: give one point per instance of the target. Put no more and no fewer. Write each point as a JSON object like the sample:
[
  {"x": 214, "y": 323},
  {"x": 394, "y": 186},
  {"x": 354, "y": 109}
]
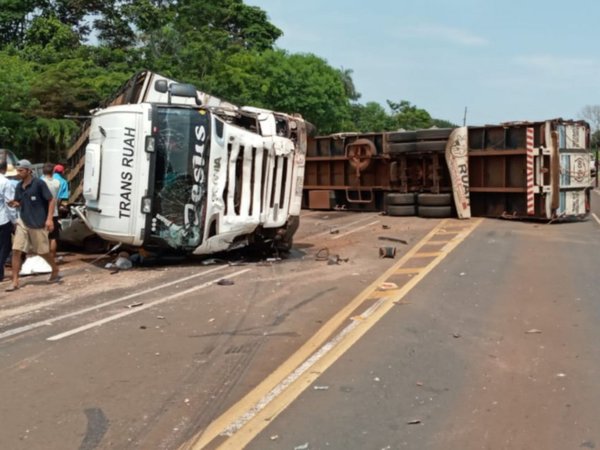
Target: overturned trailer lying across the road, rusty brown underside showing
[{"x": 519, "y": 169}]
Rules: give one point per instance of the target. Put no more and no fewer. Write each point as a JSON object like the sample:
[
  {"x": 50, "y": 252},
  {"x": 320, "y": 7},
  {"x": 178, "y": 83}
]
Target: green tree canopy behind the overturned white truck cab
[{"x": 61, "y": 58}]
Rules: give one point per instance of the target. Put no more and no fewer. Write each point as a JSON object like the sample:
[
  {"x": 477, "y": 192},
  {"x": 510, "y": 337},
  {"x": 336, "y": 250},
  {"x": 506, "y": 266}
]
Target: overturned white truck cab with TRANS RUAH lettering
[{"x": 183, "y": 175}]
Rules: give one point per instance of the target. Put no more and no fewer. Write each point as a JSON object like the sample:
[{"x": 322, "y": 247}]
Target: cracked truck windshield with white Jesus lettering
[{"x": 179, "y": 201}]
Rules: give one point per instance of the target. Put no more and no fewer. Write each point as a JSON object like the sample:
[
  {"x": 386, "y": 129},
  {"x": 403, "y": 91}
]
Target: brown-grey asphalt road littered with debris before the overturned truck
[{"x": 488, "y": 342}]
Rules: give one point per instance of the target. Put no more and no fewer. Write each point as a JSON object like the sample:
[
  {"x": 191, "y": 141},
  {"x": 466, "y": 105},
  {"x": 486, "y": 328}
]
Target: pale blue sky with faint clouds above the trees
[{"x": 501, "y": 60}]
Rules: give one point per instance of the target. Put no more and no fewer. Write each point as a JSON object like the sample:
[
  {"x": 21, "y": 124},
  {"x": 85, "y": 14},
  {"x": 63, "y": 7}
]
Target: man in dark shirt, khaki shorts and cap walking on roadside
[{"x": 36, "y": 205}]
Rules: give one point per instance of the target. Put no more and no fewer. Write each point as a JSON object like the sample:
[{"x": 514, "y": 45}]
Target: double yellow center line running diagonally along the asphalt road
[{"x": 249, "y": 416}]
